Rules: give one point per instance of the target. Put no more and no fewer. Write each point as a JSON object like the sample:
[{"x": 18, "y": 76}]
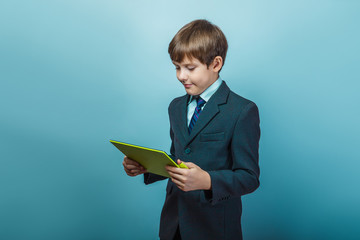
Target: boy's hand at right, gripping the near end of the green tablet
[{"x": 190, "y": 179}]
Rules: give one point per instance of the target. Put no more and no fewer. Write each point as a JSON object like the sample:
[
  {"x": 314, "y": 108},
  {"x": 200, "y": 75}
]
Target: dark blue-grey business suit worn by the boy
[{"x": 224, "y": 142}]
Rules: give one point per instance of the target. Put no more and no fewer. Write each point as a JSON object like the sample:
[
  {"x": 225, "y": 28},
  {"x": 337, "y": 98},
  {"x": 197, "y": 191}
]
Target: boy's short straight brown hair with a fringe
[{"x": 199, "y": 39}]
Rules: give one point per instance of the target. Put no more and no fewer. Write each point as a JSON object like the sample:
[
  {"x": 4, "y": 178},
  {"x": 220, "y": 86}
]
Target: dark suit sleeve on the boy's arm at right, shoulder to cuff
[{"x": 243, "y": 178}]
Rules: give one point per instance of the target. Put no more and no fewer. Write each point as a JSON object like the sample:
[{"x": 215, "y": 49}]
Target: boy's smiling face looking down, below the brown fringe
[{"x": 195, "y": 76}]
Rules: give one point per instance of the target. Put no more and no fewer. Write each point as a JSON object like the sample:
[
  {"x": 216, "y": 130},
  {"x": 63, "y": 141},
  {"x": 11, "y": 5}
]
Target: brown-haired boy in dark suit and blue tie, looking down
[{"x": 216, "y": 133}]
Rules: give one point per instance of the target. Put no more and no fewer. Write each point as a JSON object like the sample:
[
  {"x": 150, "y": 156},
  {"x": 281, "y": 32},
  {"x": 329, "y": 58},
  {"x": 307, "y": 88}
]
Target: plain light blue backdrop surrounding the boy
[{"x": 75, "y": 74}]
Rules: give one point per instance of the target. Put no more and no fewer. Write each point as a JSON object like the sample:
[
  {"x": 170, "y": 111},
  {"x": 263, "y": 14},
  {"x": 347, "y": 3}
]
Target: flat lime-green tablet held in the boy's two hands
[{"x": 153, "y": 160}]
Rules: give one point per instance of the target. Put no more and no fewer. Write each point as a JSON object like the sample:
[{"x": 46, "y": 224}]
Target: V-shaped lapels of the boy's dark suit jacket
[{"x": 210, "y": 110}]
